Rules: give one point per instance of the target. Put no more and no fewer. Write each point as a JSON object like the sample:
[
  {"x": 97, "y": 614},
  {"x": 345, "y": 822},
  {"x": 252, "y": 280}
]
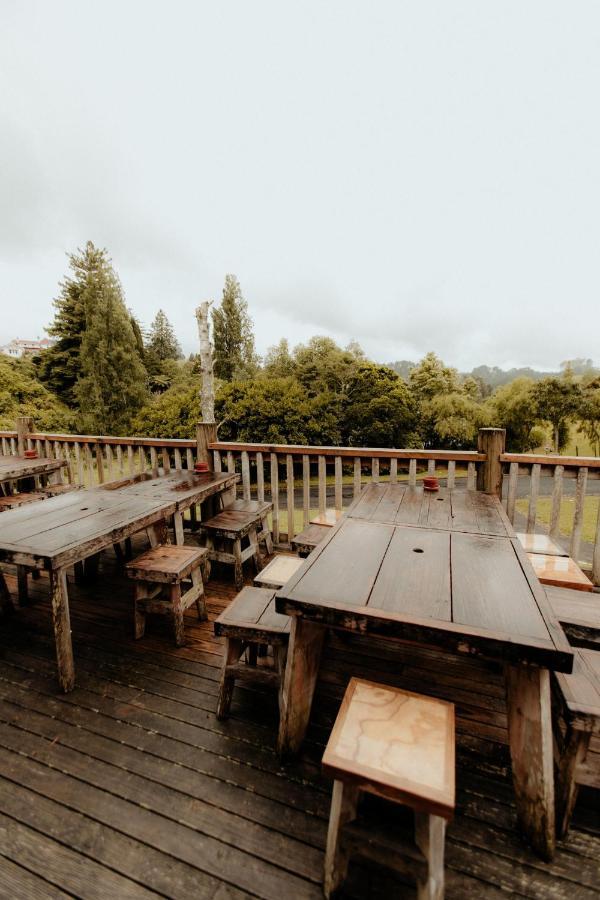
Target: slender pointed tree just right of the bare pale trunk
[{"x": 235, "y": 356}]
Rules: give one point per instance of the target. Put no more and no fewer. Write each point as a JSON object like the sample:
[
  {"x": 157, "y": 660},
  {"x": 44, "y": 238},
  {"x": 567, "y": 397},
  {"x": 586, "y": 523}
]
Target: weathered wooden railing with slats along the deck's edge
[{"x": 305, "y": 481}]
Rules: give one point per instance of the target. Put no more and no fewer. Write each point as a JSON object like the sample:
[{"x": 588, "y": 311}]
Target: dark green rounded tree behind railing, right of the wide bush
[{"x": 379, "y": 410}]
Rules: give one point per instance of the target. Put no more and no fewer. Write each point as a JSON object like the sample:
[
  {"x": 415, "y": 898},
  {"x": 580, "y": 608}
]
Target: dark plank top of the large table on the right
[{"x": 441, "y": 568}]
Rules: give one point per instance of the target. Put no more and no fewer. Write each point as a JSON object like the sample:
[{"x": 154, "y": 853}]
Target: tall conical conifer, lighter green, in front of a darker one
[{"x": 112, "y": 383}]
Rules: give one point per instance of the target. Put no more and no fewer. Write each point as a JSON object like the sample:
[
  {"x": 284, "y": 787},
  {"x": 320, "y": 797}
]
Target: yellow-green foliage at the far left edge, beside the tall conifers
[{"x": 22, "y": 394}]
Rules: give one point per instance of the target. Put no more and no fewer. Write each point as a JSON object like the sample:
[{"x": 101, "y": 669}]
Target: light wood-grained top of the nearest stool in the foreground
[{"x": 396, "y": 744}]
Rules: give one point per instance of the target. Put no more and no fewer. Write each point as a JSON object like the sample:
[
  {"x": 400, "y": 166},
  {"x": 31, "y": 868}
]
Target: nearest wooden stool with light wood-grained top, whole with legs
[{"x": 400, "y": 746}]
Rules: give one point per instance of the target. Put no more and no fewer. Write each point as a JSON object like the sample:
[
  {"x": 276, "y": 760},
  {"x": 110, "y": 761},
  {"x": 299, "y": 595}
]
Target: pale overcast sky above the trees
[{"x": 413, "y": 175}]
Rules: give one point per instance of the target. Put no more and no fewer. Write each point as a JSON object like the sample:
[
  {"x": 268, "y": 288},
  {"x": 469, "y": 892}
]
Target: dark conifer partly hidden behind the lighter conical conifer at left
[{"x": 60, "y": 365}]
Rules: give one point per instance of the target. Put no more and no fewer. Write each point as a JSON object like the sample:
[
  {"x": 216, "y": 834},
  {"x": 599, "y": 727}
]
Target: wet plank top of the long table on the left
[{"x": 70, "y": 527}]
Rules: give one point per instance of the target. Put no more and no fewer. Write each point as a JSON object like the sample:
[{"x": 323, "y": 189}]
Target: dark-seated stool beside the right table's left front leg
[{"x": 251, "y": 621}]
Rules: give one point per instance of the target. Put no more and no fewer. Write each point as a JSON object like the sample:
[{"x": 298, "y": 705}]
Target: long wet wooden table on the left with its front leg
[{"x": 67, "y": 529}]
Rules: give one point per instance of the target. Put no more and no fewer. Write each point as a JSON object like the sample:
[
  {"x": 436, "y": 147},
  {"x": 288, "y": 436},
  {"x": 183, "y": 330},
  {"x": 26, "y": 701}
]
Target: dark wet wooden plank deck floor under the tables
[{"x": 129, "y": 787}]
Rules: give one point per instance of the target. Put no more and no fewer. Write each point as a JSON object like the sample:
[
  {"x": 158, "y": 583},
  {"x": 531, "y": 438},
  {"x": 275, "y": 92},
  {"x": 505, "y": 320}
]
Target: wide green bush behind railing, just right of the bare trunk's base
[{"x": 275, "y": 410}]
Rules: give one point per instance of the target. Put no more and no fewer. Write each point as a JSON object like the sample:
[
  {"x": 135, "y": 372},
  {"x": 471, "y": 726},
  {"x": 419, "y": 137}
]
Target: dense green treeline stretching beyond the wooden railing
[{"x": 105, "y": 374}]
